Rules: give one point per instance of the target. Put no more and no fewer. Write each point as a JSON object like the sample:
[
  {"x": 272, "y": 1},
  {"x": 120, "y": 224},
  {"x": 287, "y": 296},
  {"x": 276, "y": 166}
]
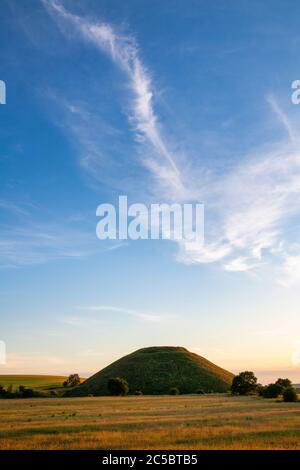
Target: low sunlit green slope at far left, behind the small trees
[{"x": 37, "y": 382}]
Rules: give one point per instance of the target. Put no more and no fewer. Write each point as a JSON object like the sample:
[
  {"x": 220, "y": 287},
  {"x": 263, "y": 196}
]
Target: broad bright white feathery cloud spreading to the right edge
[{"x": 253, "y": 205}]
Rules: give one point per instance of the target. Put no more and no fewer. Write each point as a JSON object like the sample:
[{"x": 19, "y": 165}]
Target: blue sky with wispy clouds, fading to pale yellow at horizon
[{"x": 164, "y": 102}]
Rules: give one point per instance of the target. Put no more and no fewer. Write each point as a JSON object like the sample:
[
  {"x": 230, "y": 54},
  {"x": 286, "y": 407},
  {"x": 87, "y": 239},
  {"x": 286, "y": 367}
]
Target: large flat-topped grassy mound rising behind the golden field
[{"x": 156, "y": 370}]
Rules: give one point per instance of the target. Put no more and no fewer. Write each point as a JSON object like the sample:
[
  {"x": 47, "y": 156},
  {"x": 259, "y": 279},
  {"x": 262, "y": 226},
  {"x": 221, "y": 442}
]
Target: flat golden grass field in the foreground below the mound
[{"x": 166, "y": 422}]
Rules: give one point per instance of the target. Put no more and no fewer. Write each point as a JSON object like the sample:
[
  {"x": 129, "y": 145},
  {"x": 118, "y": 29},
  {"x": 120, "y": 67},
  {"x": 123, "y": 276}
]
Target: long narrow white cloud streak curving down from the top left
[{"x": 125, "y": 54}]
